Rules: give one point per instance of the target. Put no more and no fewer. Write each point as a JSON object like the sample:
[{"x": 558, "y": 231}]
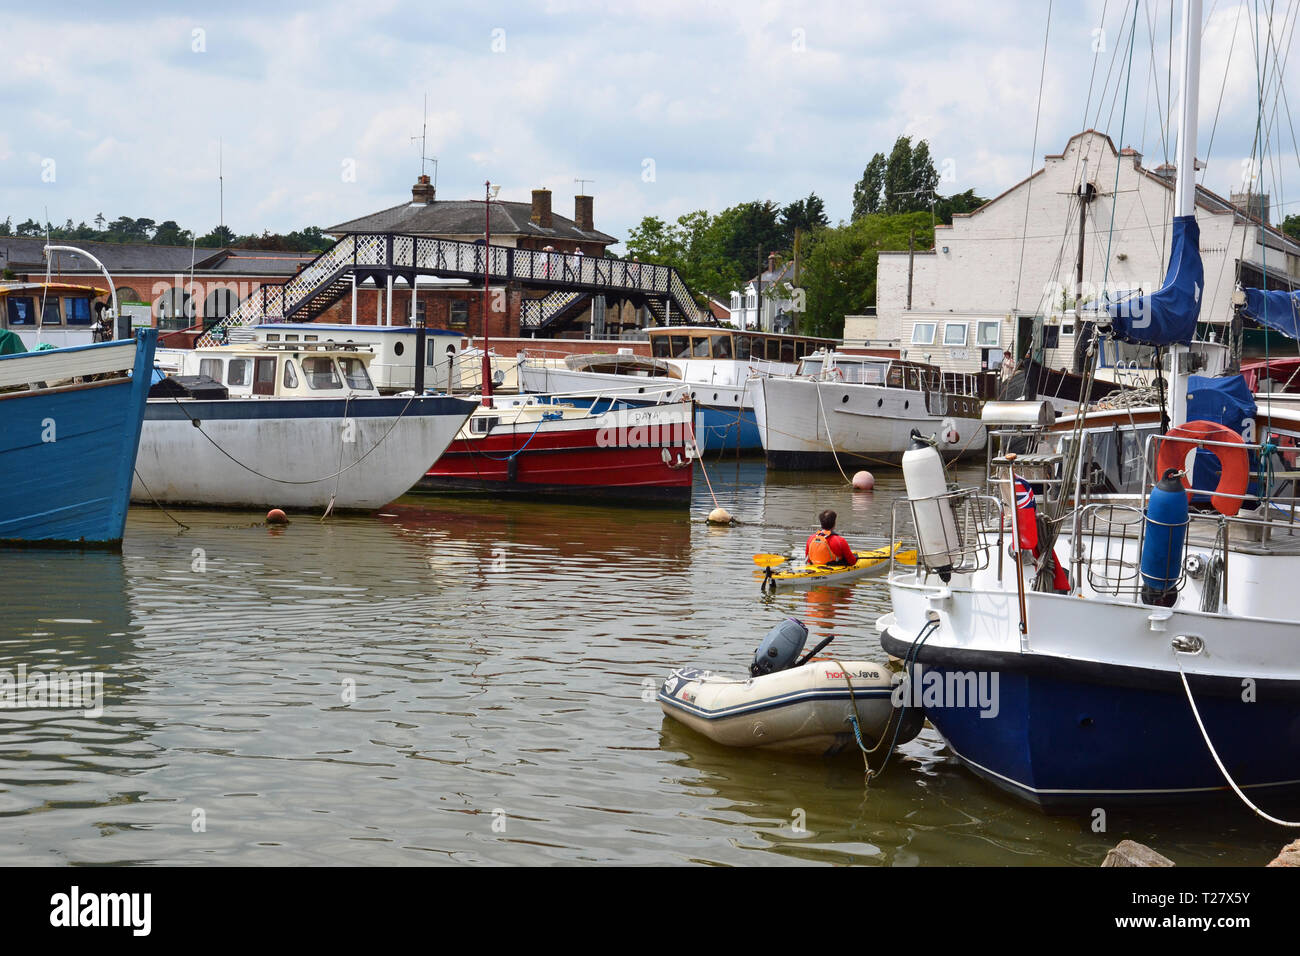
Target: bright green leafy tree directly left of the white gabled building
[{"x": 839, "y": 272}]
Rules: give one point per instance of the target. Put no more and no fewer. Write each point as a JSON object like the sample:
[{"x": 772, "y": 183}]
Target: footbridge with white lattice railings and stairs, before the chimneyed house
[{"x": 570, "y": 278}]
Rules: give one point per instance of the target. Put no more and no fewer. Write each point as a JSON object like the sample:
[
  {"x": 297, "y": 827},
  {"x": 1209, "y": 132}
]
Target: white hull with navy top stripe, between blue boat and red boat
[{"x": 358, "y": 455}]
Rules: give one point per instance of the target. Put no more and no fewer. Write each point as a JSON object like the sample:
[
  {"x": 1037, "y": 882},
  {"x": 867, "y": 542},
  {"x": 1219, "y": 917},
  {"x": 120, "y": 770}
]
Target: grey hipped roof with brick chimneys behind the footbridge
[{"x": 466, "y": 218}]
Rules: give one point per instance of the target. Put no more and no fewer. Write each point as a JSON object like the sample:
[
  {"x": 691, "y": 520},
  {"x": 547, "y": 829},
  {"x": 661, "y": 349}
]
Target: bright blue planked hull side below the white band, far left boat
[{"x": 67, "y": 457}]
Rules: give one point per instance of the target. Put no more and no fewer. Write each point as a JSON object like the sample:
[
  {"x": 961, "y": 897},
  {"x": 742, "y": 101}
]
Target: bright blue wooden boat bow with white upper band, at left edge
[{"x": 70, "y": 430}]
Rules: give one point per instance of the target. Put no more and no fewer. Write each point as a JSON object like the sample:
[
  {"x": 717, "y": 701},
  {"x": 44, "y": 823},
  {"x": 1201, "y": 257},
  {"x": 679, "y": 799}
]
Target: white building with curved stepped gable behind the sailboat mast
[{"x": 1004, "y": 276}]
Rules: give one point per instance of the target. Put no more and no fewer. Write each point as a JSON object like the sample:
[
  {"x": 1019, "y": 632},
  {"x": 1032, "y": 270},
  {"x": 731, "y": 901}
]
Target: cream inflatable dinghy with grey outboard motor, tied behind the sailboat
[{"x": 805, "y": 707}]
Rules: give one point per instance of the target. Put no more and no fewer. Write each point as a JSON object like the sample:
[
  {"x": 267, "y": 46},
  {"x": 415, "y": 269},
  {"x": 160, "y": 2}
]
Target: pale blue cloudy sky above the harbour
[{"x": 665, "y": 106}]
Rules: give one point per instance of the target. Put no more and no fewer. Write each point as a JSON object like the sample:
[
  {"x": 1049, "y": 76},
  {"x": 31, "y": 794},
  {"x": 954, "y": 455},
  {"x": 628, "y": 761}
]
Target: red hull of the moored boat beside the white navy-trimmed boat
[{"x": 562, "y": 461}]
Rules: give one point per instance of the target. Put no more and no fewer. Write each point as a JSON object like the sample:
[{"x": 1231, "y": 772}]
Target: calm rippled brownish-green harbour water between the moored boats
[{"x": 461, "y": 681}]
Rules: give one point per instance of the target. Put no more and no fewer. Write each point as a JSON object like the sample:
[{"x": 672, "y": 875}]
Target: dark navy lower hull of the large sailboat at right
[{"x": 1071, "y": 736}]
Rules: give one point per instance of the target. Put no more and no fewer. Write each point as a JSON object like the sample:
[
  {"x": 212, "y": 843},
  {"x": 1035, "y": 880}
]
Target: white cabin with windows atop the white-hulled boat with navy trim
[{"x": 278, "y": 370}]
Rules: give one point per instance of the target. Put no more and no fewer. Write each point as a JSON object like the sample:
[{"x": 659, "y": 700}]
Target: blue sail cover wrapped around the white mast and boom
[{"x": 1167, "y": 317}]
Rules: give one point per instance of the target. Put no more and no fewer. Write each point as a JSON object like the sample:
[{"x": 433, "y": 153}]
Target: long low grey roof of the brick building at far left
[{"x": 24, "y": 254}]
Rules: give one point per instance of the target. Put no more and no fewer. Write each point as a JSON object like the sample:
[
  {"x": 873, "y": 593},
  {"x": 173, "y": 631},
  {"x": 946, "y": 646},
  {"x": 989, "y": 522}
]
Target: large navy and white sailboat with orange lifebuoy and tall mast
[{"x": 1147, "y": 646}]
